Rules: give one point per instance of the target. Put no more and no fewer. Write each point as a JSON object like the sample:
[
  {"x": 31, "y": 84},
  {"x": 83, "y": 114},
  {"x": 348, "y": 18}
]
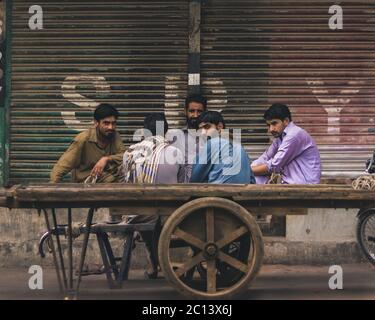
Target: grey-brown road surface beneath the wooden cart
[{"x": 273, "y": 282}]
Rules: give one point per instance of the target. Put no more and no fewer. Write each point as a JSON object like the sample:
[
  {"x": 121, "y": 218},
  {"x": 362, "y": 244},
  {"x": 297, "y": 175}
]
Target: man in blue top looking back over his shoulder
[{"x": 220, "y": 160}]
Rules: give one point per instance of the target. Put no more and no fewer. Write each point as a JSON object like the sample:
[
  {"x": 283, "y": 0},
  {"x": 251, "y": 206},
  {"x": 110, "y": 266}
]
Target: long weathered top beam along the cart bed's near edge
[{"x": 184, "y": 192}]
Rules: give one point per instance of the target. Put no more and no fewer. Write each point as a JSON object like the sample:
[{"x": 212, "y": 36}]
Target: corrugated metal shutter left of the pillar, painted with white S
[{"x": 132, "y": 54}]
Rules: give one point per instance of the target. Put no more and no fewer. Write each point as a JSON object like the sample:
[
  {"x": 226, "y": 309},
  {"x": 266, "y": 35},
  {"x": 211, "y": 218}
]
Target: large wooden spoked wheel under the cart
[{"x": 227, "y": 248}]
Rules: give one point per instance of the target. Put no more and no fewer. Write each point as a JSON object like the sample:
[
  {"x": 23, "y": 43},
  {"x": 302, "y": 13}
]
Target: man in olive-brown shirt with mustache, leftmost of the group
[{"x": 94, "y": 153}]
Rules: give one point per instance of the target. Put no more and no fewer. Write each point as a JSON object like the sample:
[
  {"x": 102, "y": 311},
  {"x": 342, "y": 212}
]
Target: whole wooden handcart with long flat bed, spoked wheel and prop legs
[{"x": 221, "y": 246}]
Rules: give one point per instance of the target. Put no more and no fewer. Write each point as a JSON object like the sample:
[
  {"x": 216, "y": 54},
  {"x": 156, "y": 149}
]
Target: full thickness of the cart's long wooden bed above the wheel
[{"x": 250, "y": 196}]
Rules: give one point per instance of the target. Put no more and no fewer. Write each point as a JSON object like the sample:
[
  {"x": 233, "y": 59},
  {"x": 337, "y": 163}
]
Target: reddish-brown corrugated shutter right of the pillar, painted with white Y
[{"x": 255, "y": 53}]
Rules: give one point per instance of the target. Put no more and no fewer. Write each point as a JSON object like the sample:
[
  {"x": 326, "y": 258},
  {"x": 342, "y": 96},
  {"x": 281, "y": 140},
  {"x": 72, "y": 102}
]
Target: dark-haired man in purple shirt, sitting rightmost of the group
[{"x": 293, "y": 153}]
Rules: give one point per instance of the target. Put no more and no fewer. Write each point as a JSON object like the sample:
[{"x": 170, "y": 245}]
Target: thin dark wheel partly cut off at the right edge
[{"x": 366, "y": 234}]
